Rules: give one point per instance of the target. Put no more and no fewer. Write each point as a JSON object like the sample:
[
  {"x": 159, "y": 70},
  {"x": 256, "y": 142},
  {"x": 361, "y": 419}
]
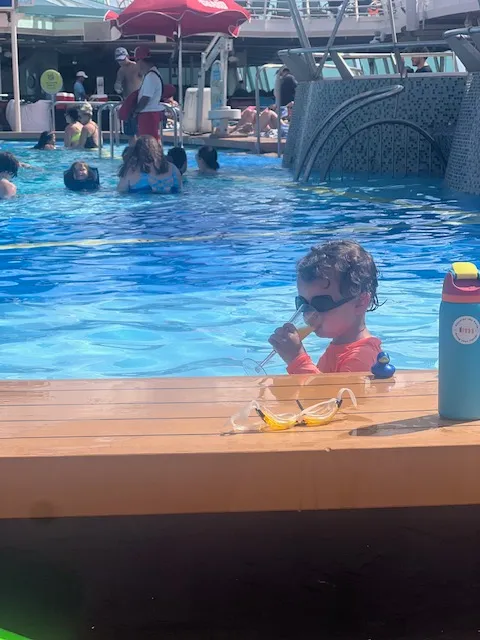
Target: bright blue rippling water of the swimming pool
[{"x": 190, "y": 285}]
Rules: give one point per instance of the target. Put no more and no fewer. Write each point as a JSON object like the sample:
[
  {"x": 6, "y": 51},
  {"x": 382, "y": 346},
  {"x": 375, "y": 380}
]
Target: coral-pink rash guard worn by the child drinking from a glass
[{"x": 357, "y": 356}]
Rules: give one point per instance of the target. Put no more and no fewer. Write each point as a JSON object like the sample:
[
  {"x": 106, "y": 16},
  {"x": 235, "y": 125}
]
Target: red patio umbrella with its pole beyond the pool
[{"x": 183, "y": 18}]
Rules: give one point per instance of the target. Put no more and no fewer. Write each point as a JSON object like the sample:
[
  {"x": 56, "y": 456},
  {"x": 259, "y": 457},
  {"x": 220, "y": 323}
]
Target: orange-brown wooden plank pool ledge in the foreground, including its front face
[{"x": 156, "y": 446}]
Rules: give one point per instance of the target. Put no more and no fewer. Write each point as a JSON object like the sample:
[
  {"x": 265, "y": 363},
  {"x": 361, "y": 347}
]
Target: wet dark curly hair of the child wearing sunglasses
[{"x": 355, "y": 267}]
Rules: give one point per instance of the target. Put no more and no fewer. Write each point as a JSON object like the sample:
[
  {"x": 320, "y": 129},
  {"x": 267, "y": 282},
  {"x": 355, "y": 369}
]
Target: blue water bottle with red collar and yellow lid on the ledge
[{"x": 459, "y": 344}]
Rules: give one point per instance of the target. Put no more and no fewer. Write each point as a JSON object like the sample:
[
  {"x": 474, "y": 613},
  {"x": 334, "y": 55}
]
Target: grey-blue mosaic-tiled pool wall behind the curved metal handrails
[{"x": 432, "y": 101}]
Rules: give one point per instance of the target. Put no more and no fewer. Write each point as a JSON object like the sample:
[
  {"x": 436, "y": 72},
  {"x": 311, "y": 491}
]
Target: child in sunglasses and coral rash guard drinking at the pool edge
[{"x": 338, "y": 280}]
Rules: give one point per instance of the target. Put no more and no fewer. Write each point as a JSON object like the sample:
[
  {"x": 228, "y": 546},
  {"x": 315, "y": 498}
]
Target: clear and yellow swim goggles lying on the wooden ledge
[{"x": 314, "y": 416}]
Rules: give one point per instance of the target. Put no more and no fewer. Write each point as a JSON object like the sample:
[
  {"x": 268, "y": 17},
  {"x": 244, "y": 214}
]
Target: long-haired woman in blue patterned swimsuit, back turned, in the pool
[{"x": 146, "y": 169}]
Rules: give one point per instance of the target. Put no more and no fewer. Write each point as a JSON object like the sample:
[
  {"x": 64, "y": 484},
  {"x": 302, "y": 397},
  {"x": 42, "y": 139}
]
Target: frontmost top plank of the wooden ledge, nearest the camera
[{"x": 422, "y": 429}]
